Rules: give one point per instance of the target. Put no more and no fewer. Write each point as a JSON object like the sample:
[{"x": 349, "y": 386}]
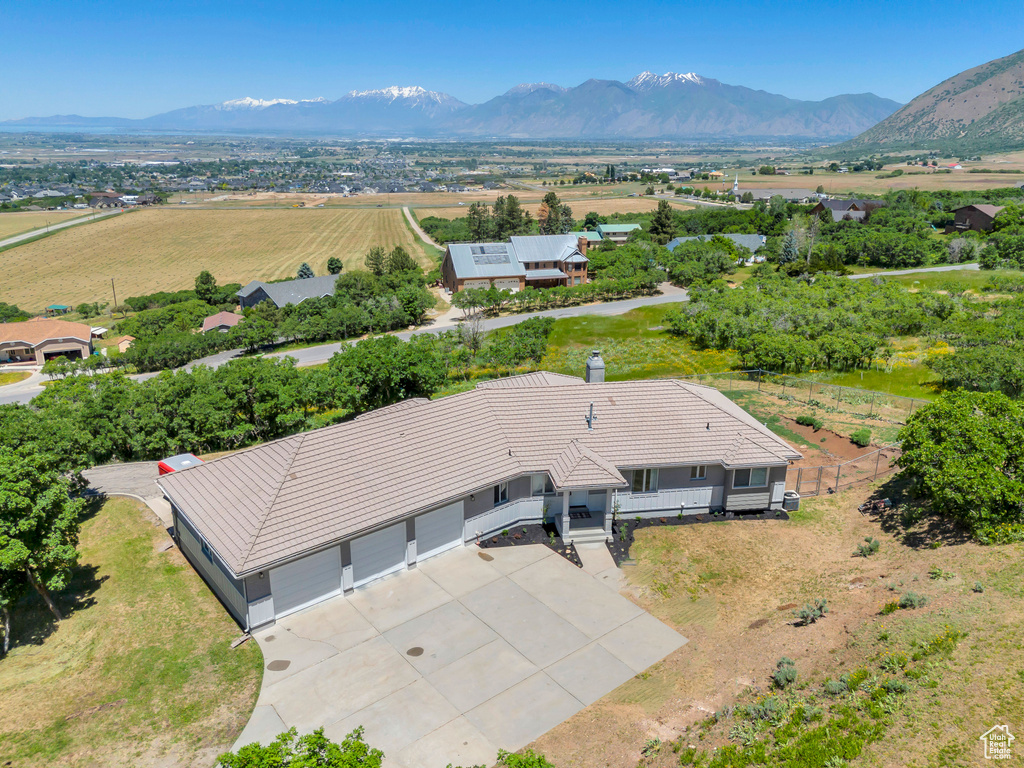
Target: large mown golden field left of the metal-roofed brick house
[{"x": 164, "y": 250}]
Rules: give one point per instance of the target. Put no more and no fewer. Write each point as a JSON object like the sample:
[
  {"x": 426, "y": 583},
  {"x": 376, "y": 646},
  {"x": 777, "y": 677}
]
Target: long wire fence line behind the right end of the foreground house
[{"x": 890, "y": 408}]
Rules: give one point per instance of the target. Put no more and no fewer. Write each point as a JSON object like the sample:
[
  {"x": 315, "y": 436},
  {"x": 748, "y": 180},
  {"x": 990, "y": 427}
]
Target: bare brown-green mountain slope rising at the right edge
[{"x": 980, "y": 110}]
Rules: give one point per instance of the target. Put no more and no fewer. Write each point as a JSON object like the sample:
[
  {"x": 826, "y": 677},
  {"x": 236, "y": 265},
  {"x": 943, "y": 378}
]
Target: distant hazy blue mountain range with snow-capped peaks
[{"x": 650, "y": 106}]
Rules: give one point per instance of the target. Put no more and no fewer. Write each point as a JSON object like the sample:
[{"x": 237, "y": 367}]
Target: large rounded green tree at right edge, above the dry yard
[{"x": 965, "y": 454}]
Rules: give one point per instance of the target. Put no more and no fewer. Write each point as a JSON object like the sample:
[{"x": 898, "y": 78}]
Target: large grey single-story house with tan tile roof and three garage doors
[{"x": 283, "y": 526}]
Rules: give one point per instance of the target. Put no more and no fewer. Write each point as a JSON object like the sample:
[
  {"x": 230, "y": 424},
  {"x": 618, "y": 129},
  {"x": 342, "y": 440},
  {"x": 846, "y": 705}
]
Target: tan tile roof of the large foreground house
[{"x": 270, "y": 503}]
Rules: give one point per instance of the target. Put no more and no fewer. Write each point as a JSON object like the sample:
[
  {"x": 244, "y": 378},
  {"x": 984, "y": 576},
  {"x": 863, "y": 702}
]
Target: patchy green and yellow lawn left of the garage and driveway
[{"x": 141, "y": 671}]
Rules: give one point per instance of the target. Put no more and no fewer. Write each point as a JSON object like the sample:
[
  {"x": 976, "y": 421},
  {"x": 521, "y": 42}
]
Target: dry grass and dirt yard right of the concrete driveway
[{"x": 732, "y": 588}]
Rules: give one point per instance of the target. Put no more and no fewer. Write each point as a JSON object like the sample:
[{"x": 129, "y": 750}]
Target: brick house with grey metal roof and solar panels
[{"x": 534, "y": 261}]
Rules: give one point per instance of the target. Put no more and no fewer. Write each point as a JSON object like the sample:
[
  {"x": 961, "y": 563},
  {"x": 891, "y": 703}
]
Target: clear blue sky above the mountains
[{"x": 140, "y": 59}]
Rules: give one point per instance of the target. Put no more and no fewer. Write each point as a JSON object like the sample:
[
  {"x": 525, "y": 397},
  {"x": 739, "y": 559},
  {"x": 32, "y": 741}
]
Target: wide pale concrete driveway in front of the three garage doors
[{"x": 473, "y": 652}]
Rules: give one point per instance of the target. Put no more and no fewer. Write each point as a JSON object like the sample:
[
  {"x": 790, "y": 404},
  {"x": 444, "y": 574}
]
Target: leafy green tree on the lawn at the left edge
[{"x": 39, "y": 526}]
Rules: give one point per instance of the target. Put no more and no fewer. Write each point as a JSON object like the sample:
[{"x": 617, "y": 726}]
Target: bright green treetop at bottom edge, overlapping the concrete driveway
[{"x": 312, "y": 751}]
